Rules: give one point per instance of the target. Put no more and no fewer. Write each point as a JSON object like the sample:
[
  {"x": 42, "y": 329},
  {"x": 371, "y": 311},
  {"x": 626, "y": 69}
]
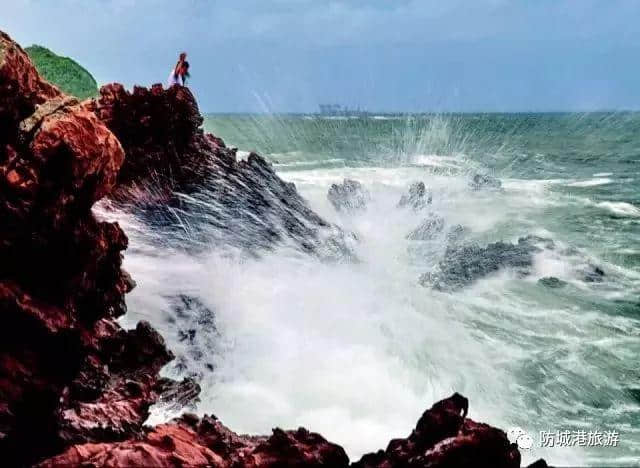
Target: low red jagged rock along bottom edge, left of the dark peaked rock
[{"x": 191, "y": 441}]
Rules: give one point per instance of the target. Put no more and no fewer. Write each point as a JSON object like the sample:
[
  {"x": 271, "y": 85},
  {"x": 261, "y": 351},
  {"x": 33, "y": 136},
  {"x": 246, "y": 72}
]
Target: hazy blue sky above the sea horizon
[{"x": 291, "y": 55}]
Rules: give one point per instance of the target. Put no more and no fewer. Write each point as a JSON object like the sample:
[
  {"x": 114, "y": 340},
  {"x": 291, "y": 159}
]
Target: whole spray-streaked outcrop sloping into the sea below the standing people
[{"x": 190, "y": 186}]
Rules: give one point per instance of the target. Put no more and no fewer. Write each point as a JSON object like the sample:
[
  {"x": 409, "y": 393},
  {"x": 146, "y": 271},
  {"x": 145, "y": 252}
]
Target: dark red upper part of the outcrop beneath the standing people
[{"x": 160, "y": 131}]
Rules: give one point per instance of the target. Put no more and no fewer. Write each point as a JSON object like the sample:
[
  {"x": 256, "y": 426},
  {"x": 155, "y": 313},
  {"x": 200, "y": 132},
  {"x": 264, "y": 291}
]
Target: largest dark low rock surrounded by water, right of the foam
[{"x": 462, "y": 265}]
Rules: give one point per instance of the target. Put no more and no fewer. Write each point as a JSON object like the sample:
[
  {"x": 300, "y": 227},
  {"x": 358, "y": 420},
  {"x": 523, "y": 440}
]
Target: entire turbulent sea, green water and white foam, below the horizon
[{"x": 357, "y": 350}]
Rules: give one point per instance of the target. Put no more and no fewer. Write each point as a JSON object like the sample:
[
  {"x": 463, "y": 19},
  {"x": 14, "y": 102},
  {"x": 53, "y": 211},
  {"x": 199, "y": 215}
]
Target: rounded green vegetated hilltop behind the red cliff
[{"x": 63, "y": 72}]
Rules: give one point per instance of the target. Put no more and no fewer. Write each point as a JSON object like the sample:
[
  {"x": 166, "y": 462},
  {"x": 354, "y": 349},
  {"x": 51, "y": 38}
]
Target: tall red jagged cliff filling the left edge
[{"x": 68, "y": 372}]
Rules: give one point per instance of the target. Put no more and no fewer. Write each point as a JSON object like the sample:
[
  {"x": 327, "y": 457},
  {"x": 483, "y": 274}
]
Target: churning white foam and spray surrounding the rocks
[{"x": 358, "y": 351}]
